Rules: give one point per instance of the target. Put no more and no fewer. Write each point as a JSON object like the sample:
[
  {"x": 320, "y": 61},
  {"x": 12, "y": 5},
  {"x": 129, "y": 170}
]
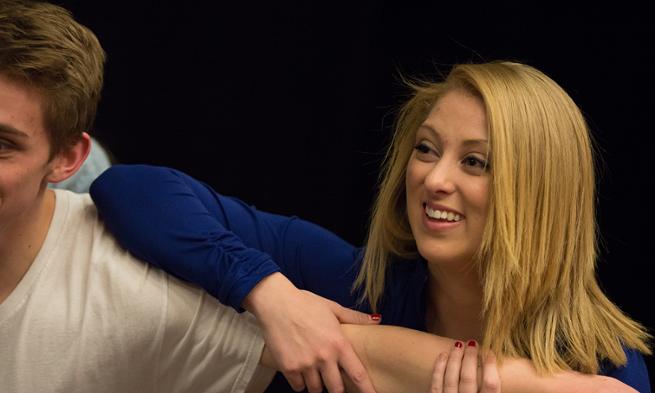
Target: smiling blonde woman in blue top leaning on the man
[{"x": 483, "y": 229}]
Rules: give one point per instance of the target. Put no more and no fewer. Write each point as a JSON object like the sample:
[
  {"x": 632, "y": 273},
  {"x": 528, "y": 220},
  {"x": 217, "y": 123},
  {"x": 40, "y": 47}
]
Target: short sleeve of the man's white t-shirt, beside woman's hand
[{"x": 206, "y": 346}]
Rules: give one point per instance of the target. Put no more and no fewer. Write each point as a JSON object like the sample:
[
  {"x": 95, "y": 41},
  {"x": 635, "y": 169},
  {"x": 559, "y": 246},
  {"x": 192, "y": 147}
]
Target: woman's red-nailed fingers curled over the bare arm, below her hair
[{"x": 458, "y": 372}]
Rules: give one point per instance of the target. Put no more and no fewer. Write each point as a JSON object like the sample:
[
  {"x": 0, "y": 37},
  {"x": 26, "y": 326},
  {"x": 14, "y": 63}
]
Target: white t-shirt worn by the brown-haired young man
[{"x": 89, "y": 317}]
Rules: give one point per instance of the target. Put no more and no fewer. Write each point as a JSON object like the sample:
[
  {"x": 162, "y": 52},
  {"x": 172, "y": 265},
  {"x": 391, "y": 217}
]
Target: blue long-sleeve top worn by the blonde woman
[{"x": 181, "y": 225}]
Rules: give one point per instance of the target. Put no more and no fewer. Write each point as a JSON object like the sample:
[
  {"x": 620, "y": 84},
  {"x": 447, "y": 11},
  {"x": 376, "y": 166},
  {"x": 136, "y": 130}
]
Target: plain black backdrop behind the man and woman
[{"x": 289, "y": 106}]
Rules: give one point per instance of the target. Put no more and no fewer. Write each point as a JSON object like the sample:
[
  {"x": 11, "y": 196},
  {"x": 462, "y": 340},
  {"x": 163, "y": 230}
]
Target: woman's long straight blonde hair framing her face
[{"x": 538, "y": 253}]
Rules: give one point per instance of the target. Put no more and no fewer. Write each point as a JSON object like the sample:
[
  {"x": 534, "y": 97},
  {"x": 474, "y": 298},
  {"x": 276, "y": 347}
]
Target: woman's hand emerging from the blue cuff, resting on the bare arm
[{"x": 303, "y": 334}]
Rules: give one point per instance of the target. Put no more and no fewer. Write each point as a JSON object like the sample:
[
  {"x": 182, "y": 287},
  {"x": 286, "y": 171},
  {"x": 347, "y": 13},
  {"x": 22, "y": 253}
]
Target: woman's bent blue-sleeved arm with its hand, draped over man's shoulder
[{"x": 232, "y": 250}]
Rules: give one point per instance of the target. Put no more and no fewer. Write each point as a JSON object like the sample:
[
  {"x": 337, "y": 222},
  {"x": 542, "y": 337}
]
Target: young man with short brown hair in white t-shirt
[{"x": 77, "y": 312}]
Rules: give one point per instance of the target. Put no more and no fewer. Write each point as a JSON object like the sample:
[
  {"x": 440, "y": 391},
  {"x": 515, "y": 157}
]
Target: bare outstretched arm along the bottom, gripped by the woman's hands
[{"x": 402, "y": 360}]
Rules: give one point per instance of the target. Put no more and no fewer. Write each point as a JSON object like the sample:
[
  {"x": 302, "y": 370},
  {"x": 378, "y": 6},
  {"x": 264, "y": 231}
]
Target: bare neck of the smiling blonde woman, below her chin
[{"x": 454, "y": 303}]
